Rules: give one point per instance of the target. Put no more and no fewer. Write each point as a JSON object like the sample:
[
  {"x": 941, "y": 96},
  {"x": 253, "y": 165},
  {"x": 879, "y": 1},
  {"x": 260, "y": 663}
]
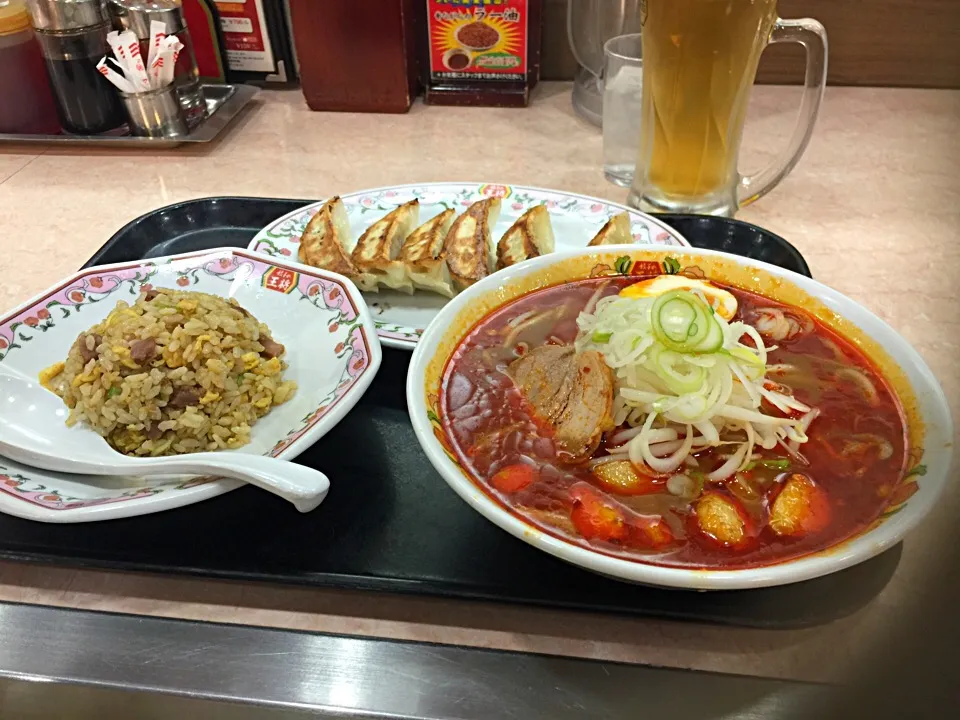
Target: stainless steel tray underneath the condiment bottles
[{"x": 224, "y": 103}]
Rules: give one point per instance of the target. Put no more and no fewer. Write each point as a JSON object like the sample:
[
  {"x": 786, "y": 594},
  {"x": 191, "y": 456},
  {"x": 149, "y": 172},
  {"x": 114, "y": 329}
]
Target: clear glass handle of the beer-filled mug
[{"x": 813, "y": 36}]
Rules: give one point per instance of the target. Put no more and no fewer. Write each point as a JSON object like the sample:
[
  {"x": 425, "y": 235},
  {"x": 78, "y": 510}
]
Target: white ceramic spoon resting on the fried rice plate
[{"x": 33, "y": 432}]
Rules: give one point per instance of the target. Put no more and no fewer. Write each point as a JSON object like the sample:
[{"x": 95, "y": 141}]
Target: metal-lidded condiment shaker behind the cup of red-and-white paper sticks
[{"x": 136, "y": 16}]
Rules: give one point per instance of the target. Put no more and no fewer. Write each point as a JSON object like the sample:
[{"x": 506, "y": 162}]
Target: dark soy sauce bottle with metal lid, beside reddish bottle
[{"x": 73, "y": 39}]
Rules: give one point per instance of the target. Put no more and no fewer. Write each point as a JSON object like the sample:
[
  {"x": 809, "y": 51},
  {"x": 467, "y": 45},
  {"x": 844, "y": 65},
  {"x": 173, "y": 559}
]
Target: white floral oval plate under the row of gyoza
[{"x": 401, "y": 318}]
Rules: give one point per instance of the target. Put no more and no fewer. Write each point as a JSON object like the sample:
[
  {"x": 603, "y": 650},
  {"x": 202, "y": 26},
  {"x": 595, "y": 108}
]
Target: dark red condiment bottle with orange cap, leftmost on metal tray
[{"x": 26, "y": 105}]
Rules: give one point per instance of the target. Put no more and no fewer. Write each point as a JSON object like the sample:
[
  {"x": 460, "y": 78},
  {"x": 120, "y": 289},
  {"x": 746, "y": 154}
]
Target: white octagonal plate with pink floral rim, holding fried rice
[{"x": 332, "y": 351}]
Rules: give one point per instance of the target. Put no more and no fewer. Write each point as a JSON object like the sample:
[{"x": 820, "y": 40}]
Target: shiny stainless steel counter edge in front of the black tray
[{"x": 67, "y": 664}]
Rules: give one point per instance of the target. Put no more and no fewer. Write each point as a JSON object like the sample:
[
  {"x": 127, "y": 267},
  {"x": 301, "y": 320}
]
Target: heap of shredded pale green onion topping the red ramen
[{"x": 680, "y": 363}]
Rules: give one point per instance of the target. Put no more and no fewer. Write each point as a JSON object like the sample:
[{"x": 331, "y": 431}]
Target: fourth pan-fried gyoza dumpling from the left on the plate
[{"x": 469, "y": 243}]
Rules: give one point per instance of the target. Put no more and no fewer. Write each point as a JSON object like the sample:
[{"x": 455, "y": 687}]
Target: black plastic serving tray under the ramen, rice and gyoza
[{"x": 390, "y": 522}]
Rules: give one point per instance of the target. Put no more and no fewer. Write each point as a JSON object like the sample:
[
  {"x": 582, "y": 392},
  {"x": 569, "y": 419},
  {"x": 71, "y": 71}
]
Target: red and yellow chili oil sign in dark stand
[{"x": 482, "y": 52}]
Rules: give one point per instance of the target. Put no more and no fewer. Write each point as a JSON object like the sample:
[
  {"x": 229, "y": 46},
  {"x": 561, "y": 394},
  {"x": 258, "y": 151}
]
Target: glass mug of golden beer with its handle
[{"x": 699, "y": 62}]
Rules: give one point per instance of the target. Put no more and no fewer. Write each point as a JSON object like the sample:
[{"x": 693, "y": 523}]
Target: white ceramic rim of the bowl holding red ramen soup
[{"x": 927, "y": 413}]
